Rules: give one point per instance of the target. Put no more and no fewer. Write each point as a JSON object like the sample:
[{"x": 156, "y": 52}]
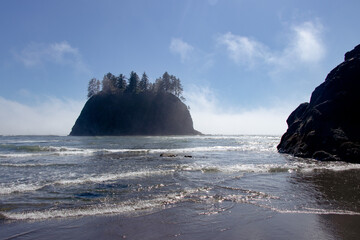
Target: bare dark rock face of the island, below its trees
[{"x": 134, "y": 114}]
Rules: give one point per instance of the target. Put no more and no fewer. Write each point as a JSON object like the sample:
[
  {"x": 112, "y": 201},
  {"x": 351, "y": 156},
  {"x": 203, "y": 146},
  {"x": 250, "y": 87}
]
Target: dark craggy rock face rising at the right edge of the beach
[{"x": 328, "y": 128}]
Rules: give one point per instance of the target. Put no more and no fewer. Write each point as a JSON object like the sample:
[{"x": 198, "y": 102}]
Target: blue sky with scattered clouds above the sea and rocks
[{"x": 245, "y": 65}]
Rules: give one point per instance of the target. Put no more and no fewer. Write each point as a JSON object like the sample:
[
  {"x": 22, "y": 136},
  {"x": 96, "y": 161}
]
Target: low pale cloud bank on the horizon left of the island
[{"x": 51, "y": 116}]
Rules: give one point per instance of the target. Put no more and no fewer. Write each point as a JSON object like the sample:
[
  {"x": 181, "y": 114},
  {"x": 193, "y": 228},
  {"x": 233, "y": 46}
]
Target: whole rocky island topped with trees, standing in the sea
[{"x": 134, "y": 108}]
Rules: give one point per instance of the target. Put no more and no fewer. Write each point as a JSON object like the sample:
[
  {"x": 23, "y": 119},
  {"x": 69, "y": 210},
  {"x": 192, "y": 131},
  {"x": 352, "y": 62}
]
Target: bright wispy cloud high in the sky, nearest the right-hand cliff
[{"x": 304, "y": 46}]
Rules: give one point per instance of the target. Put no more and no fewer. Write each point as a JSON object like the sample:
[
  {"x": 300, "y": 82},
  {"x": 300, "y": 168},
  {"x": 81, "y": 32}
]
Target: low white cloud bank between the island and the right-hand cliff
[{"x": 210, "y": 117}]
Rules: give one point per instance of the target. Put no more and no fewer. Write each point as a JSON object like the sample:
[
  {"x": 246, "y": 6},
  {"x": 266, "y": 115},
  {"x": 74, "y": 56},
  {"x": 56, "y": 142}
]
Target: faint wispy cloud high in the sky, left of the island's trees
[{"x": 38, "y": 54}]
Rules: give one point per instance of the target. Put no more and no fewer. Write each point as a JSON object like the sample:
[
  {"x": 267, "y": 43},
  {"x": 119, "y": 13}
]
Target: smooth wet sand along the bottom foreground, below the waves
[{"x": 241, "y": 221}]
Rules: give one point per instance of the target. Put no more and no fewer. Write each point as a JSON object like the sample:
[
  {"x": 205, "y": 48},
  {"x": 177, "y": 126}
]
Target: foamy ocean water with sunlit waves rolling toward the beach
[{"x": 63, "y": 177}]
